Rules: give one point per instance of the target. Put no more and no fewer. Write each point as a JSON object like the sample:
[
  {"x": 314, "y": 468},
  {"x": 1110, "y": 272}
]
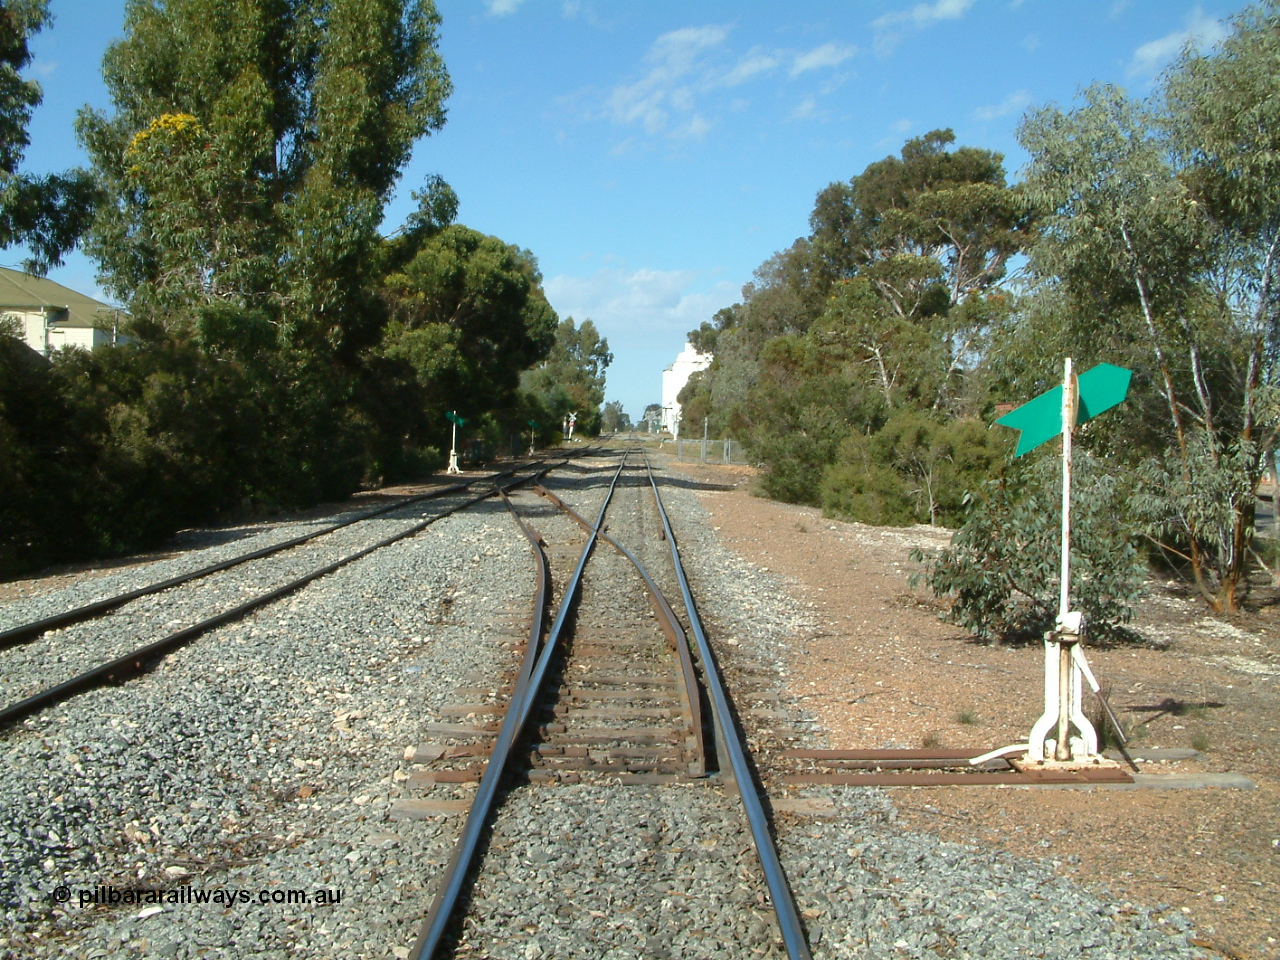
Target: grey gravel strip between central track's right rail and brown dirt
[{"x": 867, "y": 886}]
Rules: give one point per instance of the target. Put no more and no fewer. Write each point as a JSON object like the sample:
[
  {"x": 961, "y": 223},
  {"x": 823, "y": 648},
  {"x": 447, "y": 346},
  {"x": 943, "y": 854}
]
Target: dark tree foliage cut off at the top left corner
[{"x": 47, "y": 213}]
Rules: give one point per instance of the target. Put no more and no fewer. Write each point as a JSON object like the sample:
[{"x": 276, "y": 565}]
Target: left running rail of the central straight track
[{"x": 519, "y": 708}]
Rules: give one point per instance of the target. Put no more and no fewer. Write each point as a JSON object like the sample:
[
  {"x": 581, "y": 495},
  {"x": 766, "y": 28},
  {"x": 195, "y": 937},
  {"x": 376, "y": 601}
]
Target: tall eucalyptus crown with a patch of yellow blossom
[{"x": 253, "y": 149}]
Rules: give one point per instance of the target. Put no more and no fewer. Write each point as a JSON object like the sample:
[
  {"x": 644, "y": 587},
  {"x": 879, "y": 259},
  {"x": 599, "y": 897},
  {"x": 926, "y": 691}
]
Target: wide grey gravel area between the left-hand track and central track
[{"x": 262, "y": 758}]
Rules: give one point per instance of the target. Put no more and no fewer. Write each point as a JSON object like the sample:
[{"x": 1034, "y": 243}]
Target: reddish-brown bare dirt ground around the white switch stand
[{"x": 884, "y": 671}]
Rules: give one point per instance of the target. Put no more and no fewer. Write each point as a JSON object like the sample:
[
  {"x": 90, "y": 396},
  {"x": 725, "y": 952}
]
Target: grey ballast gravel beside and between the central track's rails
[{"x": 263, "y": 761}]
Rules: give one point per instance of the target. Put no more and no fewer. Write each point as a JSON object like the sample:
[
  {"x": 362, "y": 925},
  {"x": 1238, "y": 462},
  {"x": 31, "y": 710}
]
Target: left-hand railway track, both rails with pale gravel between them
[{"x": 47, "y": 660}]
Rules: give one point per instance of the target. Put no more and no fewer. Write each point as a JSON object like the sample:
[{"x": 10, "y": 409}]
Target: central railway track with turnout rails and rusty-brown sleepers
[{"x": 607, "y": 701}]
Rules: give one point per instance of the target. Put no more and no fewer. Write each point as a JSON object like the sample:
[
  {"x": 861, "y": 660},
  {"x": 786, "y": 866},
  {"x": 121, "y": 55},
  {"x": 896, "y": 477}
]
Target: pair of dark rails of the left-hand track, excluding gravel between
[{"x": 147, "y": 657}]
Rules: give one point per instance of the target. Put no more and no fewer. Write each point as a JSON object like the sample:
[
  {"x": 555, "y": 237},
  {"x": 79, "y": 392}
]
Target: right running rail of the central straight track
[{"x": 732, "y": 737}]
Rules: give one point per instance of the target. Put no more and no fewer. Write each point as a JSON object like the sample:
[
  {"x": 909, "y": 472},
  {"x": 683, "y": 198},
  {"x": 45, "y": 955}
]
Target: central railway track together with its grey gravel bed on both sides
[{"x": 625, "y": 820}]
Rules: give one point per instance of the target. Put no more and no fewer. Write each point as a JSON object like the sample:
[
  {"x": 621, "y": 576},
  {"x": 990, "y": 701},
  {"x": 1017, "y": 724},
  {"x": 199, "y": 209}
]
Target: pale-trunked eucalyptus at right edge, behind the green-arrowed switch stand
[{"x": 1160, "y": 231}]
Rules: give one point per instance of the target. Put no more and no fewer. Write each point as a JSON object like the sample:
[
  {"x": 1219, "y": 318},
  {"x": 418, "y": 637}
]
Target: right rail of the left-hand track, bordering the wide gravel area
[{"x": 141, "y": 660}]
